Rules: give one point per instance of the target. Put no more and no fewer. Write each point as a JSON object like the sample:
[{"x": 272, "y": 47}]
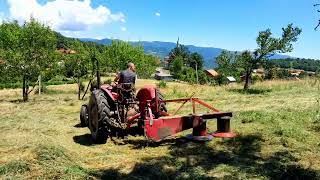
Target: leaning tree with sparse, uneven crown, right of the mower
[{"x": 268, "y": 46}]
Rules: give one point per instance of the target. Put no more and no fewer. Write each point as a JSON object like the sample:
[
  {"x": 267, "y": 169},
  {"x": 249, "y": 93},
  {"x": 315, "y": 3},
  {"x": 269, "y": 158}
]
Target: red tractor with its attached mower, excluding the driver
[{"x": 112, "y": 110}]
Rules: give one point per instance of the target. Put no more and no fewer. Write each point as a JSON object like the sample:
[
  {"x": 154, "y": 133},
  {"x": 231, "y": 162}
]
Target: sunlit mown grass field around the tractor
[{"x": 277, "y": 121}]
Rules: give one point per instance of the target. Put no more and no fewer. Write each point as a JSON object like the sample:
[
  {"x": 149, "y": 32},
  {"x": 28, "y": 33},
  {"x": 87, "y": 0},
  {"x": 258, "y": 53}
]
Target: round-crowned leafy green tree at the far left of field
[{"x": 27, "y": 50}]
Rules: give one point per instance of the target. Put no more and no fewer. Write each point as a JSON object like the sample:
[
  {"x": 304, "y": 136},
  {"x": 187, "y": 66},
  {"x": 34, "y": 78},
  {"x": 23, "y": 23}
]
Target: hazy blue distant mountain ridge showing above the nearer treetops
[{"x": 162, "y": 49}]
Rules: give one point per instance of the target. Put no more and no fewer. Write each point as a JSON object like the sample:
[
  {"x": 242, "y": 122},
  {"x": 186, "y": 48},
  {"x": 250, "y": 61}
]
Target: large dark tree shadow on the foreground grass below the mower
[{"x": 189, "y": 160}]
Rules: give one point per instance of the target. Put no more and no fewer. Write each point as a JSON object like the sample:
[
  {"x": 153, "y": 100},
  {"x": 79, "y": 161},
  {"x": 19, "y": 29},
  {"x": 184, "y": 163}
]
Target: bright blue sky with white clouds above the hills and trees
[{"x": 228, "y": 24}]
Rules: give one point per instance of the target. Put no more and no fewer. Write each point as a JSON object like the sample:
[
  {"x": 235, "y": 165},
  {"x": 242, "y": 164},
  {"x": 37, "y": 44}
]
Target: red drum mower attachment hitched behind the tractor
[{"x": 157, "y": 129}]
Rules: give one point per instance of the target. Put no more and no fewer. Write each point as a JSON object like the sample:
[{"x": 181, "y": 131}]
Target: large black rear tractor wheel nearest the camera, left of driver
[{"x": 99, "y": 112}]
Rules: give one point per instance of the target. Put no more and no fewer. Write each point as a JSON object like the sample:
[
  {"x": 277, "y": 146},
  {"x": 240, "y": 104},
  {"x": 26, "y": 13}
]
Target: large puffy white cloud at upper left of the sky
[{"x": 64, "y": 15}]
